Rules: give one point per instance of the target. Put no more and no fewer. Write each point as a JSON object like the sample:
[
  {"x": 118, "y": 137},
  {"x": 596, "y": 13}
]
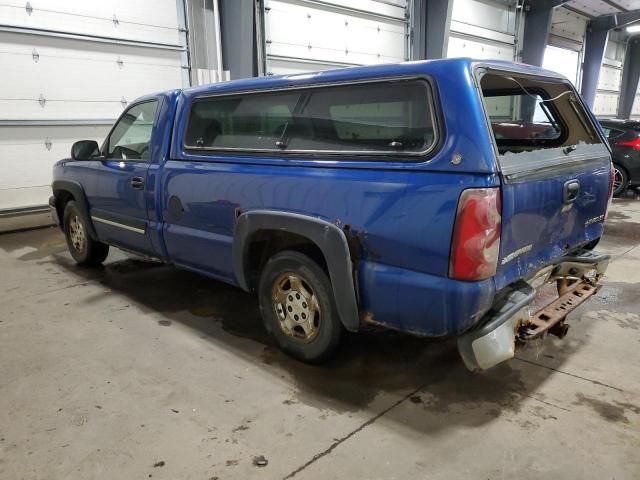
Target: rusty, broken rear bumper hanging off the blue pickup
[{"x": 510, "y": 319}]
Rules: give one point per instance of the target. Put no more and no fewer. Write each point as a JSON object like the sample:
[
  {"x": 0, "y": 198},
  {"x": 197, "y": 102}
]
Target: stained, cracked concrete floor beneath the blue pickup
[{"x": 141, "y": 370}]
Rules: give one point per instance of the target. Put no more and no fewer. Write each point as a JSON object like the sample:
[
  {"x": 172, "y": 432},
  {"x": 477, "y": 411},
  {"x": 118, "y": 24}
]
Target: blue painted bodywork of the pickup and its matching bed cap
[{"x": 402, "y": 210}]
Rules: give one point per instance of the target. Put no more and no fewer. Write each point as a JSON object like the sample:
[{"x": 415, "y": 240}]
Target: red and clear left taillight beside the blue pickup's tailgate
[{"x": 476, "y": 235}]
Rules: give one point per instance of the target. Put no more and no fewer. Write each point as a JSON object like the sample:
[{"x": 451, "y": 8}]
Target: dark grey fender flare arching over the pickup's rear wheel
[{"x": 328, "y": 237}]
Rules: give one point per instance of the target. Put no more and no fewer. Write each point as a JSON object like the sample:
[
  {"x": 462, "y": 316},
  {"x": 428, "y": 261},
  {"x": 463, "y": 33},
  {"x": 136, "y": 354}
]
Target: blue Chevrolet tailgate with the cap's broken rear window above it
[{"x": 555, "y": 170}]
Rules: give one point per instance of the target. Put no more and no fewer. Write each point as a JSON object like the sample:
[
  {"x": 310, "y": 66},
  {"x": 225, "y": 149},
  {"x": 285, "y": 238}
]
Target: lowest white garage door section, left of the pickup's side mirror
[{"x": 27, "y": 154}]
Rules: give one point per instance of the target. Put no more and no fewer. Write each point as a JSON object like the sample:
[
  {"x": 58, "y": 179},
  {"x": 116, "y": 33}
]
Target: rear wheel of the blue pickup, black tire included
[{"x": 291, "y": 286}]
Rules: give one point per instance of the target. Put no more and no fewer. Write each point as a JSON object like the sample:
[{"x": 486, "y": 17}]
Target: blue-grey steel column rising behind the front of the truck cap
[{"x": 238, "y": 28}]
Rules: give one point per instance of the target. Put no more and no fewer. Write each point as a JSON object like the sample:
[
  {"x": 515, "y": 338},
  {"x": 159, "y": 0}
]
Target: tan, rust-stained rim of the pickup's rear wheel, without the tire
[{"x": 296, "y": 307}]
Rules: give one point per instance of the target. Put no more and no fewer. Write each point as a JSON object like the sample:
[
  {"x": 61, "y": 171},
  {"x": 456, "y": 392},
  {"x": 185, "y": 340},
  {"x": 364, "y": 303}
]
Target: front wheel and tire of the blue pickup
[{"x": 83, "y": 249}]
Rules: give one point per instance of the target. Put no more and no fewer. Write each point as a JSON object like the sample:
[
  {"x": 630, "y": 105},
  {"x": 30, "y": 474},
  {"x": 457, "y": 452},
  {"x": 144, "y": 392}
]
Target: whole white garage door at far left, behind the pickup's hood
[{"x": 68, "y": 70}]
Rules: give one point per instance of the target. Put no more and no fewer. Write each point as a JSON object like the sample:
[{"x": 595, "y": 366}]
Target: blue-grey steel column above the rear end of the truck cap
[{"x": 430, "y": 27}]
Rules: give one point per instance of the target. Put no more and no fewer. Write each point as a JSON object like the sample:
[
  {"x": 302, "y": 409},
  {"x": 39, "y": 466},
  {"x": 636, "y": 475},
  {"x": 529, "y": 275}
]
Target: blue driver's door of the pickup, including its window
[{"x": 119, "y": 209}]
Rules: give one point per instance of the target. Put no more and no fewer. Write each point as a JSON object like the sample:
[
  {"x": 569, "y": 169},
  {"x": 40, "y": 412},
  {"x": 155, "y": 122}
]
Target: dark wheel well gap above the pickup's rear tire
[{"x": 266, "y": 243}]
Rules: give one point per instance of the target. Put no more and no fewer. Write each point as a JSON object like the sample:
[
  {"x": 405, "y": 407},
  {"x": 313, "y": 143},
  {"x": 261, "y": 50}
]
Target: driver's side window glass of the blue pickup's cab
[{"x": 131, "y": 137}]
